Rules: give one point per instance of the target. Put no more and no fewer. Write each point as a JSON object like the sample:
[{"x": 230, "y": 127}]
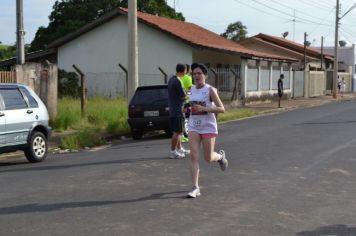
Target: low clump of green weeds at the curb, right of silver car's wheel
[{"x": 82, "y": 139}]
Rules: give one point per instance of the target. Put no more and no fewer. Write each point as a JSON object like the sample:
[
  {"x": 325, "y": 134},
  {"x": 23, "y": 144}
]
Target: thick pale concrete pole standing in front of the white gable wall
[{"x": 132, "y": 49}]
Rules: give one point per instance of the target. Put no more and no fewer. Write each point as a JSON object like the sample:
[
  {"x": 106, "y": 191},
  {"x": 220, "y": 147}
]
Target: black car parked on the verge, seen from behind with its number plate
[{"x": 148, "y": 110}]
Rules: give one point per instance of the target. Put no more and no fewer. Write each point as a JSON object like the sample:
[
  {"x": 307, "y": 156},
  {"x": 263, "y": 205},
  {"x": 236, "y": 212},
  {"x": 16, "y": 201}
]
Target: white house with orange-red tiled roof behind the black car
[{"x": 100, "y": 46}]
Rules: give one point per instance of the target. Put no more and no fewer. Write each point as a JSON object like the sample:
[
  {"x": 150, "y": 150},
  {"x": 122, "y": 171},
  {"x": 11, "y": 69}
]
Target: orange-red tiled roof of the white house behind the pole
[{"x": 188, "y": 32}]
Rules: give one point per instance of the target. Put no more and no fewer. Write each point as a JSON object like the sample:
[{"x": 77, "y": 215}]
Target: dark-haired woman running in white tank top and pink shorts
[{"x": 202, "y": 127}]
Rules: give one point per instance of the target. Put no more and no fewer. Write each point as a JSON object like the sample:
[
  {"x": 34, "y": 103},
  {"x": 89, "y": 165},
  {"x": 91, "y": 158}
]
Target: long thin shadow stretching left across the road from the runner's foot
[{"x": 31, "y": 208}]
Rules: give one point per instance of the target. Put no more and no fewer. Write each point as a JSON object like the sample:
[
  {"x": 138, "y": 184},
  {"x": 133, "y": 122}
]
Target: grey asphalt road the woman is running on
[{"x": 290, "y": 174}]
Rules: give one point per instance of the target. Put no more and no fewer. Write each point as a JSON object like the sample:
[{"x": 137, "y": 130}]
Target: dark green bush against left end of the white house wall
[{"x": 68, "y": 84}]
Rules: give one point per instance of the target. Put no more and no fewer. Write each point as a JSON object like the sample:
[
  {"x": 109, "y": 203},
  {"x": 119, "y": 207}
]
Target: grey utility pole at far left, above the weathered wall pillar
[{"x": 20, "y": 44}]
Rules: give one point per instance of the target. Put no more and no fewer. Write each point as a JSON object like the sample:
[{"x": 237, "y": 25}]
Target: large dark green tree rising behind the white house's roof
[{"x": 70, "y": 15}]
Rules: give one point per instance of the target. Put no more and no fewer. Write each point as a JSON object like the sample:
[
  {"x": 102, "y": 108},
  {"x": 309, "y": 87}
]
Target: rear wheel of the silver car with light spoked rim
[{"x": 37, "y": 148}]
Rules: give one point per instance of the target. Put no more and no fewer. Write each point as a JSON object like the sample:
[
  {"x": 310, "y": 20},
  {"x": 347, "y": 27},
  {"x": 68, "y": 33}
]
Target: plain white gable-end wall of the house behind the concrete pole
[{"x": 99, "y": 51}]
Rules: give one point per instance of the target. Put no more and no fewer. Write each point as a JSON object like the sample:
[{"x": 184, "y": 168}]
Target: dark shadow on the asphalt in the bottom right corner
[{"x": 335, "y": 230}]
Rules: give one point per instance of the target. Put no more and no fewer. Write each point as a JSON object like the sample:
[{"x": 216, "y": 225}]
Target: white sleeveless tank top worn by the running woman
[{"x": 202, "y": 123}]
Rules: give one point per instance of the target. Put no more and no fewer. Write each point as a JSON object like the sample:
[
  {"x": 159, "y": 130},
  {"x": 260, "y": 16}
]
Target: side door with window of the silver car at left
[{"x": 19, "y": 117}]
